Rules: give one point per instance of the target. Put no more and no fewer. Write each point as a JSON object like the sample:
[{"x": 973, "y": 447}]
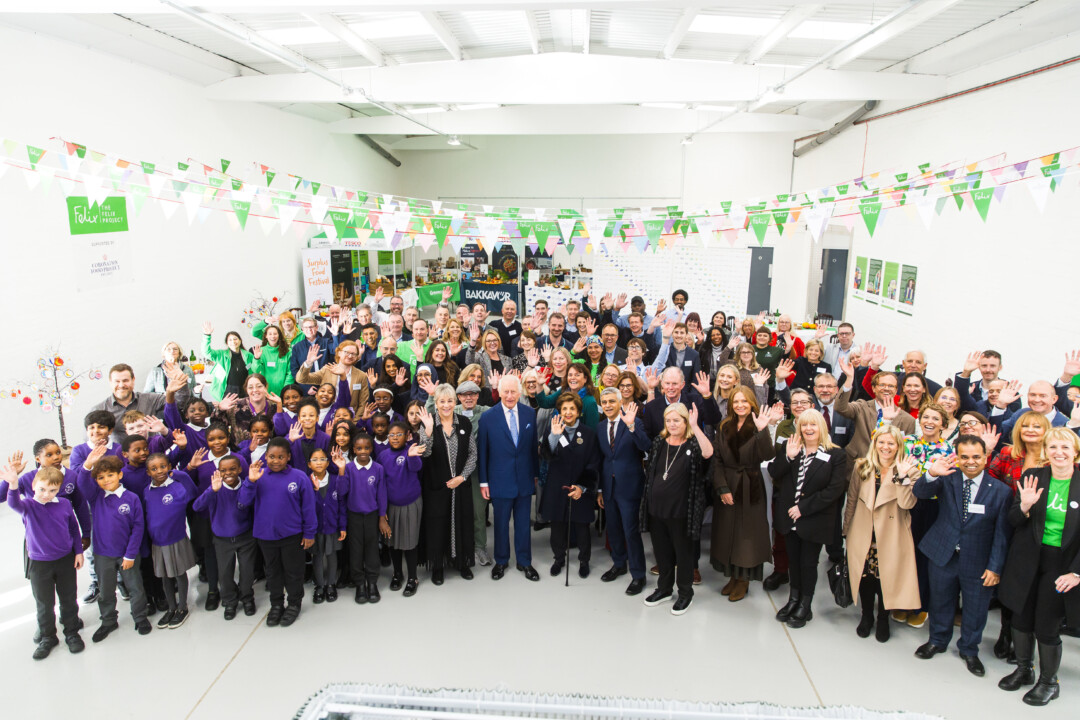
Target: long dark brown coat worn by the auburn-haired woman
[{"x": 741, "y": 532}]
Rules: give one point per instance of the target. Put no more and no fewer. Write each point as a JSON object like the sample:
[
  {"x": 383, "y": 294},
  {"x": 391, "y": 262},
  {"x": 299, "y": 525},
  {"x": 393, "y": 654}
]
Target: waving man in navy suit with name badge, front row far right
[{"x": 966, "y": 547}]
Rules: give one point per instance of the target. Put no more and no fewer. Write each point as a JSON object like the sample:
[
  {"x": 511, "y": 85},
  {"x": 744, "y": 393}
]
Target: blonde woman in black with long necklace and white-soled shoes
[{"x": 673, "y": 504}]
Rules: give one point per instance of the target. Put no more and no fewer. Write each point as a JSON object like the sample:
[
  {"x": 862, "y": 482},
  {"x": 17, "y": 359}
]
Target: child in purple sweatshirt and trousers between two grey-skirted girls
[{"x": 362, "y": 497}]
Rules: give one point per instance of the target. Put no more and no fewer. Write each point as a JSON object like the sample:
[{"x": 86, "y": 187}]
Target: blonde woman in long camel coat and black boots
[{"x": 877, "y": 524}]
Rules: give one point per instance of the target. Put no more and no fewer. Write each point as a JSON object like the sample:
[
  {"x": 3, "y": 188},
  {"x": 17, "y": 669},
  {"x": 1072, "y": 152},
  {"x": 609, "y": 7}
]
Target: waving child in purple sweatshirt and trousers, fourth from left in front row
[{"x": 231, "y": 522}]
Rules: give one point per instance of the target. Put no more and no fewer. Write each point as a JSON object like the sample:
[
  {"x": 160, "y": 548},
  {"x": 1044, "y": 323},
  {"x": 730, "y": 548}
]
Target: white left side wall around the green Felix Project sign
[{"x": 183, "y": 275}]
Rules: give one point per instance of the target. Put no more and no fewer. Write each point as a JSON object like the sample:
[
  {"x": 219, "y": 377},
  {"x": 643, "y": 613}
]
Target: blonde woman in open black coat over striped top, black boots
[{"x": 808, "y": 478}]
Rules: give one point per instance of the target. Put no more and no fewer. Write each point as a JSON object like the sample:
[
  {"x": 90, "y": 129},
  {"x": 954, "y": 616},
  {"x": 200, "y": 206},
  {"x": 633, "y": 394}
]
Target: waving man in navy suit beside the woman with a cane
[{"x": 623, "y": 443}]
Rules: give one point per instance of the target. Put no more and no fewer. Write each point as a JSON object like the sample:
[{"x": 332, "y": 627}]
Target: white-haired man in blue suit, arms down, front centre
[{"x": 508, "y": 466}]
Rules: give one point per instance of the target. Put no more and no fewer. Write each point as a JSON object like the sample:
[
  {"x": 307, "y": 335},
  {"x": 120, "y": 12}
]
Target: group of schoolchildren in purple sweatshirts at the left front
[{"x": 173, "y": 496}]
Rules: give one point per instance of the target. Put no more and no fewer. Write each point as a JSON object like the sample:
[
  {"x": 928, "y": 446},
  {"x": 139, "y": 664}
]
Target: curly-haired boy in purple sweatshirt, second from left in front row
[{"x": 118, "y": 535}]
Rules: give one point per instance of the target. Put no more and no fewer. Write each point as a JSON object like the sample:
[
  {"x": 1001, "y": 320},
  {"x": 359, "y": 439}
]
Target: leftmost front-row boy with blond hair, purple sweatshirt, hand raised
[{"x": 55, "y": 548}]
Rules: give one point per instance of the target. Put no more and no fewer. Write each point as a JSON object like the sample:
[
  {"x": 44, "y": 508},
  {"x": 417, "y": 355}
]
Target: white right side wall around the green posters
[{"x": 1007, "y": 284}]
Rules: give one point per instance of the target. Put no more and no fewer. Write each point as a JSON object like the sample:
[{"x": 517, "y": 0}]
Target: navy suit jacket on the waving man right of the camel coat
[{"x": 983, "y": 539}]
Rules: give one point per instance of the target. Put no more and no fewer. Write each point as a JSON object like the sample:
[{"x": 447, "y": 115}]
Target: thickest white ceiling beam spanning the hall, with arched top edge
[{"x": 578, "y": 79}]
